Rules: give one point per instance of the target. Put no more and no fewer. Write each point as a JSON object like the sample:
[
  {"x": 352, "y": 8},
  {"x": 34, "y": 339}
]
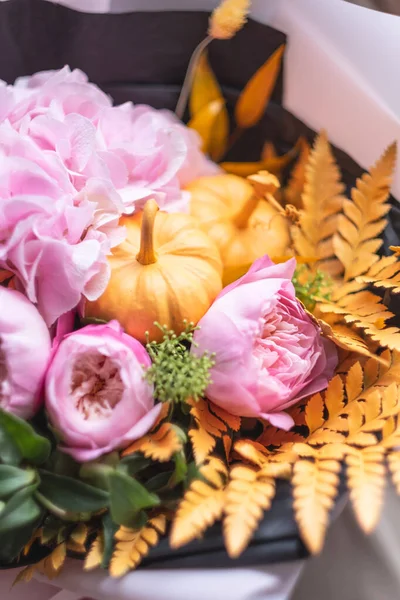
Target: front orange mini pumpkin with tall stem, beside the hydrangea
[{"x": 166, "y": 270}]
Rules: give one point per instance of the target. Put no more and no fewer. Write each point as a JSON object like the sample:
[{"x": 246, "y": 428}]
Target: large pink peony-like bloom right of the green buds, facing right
[{"x": 269, "y": 351}]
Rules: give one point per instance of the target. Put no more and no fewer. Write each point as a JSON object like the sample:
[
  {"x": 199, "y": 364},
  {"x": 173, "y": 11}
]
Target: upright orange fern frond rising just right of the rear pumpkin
[{"x": 322, "y": 201}]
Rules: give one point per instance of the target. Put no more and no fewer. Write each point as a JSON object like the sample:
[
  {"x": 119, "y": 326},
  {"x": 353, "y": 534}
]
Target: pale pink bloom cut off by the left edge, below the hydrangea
[{"x": 24, "y": 353}]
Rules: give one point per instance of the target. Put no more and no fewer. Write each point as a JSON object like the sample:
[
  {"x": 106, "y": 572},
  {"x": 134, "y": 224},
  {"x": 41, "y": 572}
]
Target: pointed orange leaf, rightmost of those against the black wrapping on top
[{"x": 254, "y": 99}]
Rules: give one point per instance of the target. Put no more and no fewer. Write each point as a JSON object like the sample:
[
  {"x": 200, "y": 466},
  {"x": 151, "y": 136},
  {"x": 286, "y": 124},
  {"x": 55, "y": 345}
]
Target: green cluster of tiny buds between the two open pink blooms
[{"x": 177, "y": 374}]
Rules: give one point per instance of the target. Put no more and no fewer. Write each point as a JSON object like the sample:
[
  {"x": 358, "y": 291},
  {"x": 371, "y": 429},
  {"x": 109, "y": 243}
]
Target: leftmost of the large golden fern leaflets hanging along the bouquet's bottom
[{"x": 202, "y": 504}]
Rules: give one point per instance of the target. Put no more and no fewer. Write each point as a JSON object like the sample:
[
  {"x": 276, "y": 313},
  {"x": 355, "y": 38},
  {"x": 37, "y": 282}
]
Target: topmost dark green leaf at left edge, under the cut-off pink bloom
[{"x": 30, "y": 445}]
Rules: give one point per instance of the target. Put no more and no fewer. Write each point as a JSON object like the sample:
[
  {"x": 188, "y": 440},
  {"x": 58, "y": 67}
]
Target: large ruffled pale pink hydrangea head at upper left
[{"x": 71, "y": 164}]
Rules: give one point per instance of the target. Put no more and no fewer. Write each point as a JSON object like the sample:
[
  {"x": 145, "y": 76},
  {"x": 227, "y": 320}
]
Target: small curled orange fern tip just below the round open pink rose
[{"x": 159, "y": 445}]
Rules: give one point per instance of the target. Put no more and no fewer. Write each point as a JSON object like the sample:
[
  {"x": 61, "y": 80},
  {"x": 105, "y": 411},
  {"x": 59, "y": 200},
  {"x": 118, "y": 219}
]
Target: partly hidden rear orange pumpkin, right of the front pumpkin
[{"x": 243, "y": 225}]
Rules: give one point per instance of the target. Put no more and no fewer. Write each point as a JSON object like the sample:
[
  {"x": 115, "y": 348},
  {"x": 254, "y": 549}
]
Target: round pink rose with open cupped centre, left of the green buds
[{"x": 96, "y": 396}]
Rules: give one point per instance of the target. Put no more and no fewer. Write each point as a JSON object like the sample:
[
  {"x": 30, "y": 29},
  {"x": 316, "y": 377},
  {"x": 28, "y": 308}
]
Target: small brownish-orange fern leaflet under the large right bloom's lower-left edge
[{"x": 208, "y": 427}]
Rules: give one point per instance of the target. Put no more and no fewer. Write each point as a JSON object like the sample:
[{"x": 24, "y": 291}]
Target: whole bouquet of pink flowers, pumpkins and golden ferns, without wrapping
[{"x": 180, "y": 331}]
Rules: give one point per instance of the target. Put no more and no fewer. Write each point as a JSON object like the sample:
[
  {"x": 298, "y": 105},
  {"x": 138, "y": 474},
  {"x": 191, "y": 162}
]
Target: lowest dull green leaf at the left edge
[{"x": 20, "y": 510}]
